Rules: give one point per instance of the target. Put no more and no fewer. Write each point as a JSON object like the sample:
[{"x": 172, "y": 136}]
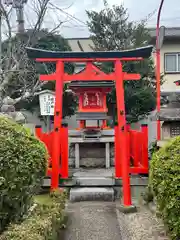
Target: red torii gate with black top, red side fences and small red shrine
[{"x": 131, "y": 147}]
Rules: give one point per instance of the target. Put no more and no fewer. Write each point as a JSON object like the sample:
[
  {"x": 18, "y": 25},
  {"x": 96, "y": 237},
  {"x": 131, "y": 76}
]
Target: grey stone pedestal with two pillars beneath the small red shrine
[{"x": 91, "y": 153}]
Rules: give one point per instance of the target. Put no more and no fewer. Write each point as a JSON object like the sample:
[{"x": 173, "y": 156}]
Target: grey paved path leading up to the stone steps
[{"x": 92, "y": 221}]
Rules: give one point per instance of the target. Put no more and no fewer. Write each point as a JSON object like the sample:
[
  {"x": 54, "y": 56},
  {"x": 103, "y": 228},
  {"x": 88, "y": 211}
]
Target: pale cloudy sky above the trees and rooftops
[{"x": 73, "y": 14}]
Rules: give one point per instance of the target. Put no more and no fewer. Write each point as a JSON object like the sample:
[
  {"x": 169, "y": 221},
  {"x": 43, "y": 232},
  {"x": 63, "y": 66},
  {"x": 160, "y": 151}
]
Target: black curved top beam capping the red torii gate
[{"x": 144, "y": 52}]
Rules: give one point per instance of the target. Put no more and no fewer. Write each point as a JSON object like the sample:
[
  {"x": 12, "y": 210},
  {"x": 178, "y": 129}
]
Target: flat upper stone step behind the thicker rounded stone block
[{"x": 94, "y": 181}]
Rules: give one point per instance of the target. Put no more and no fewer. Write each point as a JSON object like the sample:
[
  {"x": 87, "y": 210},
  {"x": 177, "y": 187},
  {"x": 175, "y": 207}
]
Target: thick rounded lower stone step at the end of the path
[{"x": 91, "y": 194}]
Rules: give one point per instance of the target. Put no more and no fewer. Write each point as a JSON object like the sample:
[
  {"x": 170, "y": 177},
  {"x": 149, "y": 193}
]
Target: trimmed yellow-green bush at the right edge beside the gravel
[{"x": 165, "y": 183}]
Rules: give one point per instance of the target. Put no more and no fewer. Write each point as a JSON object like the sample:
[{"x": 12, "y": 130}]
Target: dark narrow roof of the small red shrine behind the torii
[{"x": 91, "y": 84}]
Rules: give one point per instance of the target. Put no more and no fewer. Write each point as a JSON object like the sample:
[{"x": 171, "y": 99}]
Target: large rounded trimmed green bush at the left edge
[{"x": 23, "y": 161}]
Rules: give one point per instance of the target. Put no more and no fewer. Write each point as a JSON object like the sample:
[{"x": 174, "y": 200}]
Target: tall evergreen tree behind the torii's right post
[{"x": 111, "y": 29}]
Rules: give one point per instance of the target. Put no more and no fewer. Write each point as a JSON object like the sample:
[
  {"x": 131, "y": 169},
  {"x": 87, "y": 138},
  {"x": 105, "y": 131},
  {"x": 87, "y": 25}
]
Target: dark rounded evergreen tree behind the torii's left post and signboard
[{"x": 28, "y": 79}]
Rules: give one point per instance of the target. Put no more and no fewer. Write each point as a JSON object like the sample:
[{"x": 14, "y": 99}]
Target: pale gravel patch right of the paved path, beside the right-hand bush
[{"x": 141, "y": 225}]
